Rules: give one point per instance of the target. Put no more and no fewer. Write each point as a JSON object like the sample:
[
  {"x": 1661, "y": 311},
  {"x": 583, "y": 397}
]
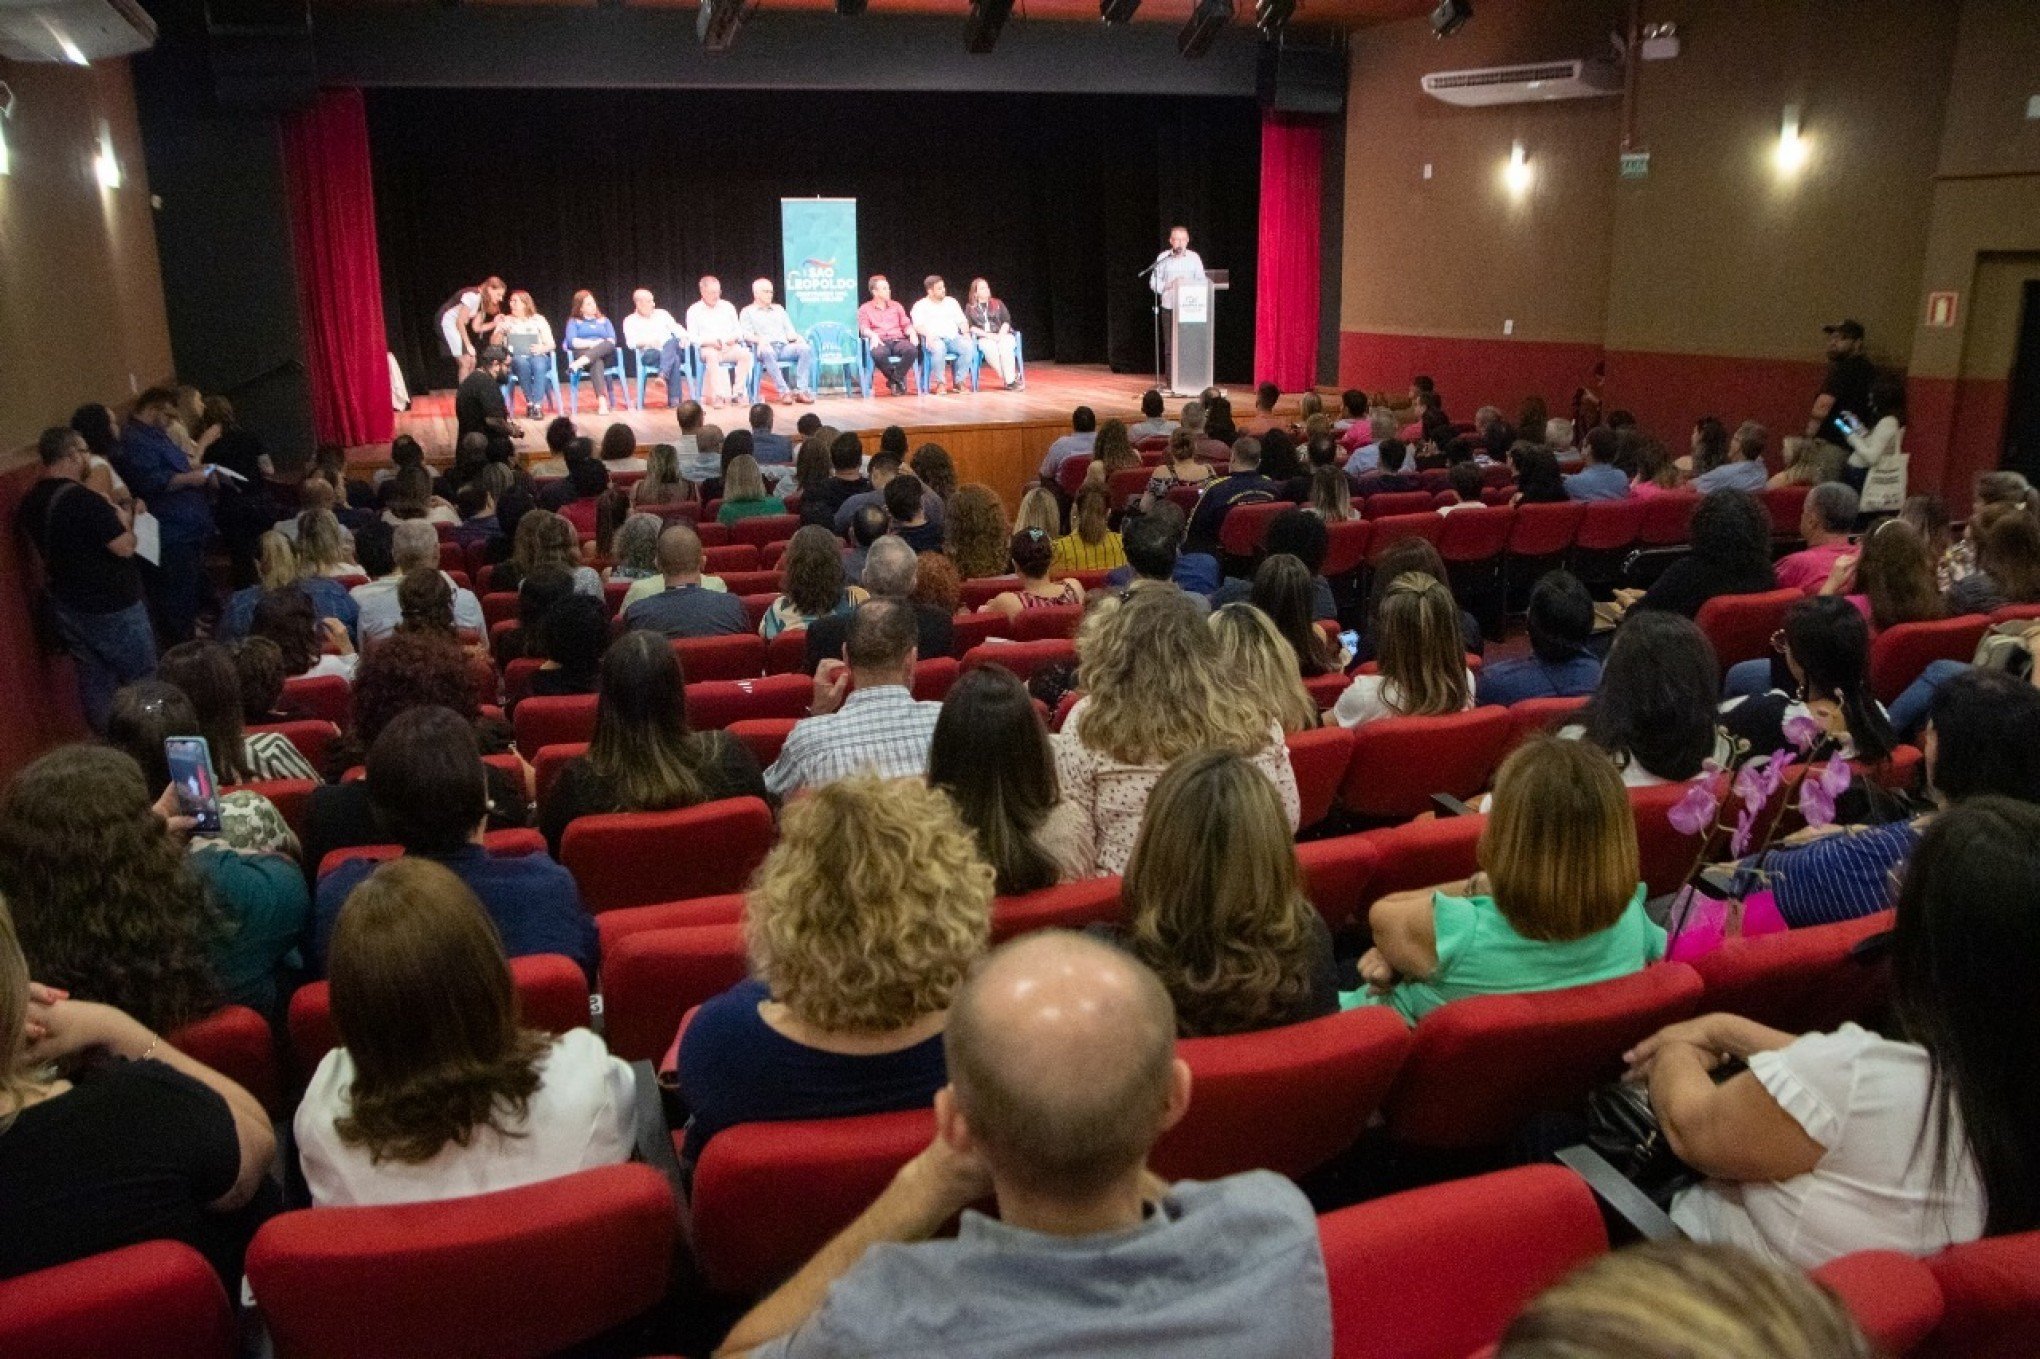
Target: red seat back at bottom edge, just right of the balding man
[{"x": 1441, "y": 1272}]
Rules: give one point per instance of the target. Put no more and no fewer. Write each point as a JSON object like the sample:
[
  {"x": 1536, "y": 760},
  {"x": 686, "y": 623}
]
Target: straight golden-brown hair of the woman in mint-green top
[{"x": 1560, "y": 848}]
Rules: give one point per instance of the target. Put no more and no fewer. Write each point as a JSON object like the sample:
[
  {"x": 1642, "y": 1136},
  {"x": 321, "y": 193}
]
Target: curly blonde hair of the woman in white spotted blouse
[{"x": 1150, "y": 666}]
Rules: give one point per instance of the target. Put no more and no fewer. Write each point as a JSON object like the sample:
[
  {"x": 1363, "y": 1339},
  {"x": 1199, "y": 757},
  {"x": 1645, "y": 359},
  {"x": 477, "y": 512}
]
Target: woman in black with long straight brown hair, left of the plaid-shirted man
[{"x": 644, "y": 756}]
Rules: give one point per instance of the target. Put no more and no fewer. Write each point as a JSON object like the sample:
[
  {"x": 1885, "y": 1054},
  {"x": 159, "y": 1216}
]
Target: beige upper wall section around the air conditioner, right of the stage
[{"x": 1456, "y": 254}]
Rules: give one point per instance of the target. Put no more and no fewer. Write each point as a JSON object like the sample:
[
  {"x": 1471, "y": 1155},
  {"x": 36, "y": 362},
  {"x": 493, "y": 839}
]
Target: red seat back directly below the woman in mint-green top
[{"x": 1484, "y": 1066}]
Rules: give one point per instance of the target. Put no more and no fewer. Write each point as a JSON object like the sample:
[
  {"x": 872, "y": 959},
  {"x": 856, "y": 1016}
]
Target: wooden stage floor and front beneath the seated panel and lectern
[{"x": 997, "y": 438}]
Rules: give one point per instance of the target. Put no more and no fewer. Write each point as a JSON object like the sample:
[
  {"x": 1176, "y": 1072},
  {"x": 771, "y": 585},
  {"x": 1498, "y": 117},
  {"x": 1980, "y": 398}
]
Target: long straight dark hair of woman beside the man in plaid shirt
[{"x": 990, "y": 754}]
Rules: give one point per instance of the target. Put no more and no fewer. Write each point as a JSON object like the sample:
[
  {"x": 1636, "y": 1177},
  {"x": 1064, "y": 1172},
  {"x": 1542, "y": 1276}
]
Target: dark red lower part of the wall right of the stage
[{"x": 1955, "y": 434}]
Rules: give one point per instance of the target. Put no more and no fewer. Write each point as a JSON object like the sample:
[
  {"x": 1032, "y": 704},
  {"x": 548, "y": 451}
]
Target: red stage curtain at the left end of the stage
[{"x": 340, "y": 274}]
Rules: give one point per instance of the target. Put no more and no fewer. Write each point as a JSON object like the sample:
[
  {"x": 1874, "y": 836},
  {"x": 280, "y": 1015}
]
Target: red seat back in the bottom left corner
[{"x": 158, "y": 1299}]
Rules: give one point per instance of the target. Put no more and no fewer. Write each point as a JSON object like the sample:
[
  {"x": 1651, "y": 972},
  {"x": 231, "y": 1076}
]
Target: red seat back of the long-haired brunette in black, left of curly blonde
[{"x": 644, "y": 858}]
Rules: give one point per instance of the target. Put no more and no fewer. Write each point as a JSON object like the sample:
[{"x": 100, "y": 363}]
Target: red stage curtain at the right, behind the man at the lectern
[{"x": 1286, "y": 307}]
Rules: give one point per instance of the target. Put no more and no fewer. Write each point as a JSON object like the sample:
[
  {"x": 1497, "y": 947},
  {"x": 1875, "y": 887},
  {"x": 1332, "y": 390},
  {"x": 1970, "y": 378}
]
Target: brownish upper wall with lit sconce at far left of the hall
[{"x": 81, "y": 289}]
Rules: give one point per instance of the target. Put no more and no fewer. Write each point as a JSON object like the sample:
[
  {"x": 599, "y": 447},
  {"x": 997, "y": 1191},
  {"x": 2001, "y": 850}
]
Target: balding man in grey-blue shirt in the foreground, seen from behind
[{"x": 1090, "y": 1252}]
